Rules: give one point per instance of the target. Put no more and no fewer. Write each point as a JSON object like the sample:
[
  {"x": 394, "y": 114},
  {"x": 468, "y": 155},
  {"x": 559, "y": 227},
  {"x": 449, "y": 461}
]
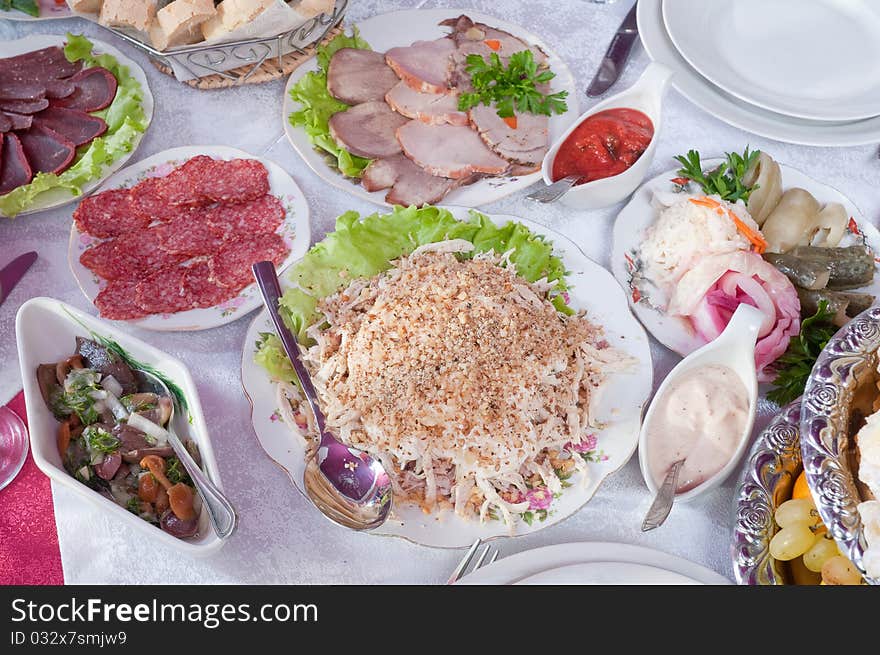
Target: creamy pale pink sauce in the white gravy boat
[{"x": 699, "y": 418}]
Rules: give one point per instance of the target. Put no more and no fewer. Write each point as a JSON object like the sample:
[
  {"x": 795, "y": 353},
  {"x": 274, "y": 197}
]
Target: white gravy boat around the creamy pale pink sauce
[{"x": 735, "y": 349}]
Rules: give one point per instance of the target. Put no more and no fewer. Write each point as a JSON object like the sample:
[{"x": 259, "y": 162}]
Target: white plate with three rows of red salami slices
[{"x": 134, "y": 269}]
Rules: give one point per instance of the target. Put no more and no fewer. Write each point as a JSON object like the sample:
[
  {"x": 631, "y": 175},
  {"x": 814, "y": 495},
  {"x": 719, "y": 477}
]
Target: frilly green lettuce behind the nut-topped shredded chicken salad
[{"x": 366, "y": 247}]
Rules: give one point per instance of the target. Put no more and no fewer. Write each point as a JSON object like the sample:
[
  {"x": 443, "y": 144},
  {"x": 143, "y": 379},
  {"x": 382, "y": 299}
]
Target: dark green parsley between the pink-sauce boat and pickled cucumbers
[{"x": 795, "y": 366}]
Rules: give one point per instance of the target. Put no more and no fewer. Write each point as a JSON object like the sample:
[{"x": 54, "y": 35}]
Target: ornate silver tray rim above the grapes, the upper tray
[{"x": 848, "y": 361}]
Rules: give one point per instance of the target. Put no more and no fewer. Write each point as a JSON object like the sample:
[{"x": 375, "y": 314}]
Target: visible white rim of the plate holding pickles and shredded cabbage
[{"x": 634, "y": 219}]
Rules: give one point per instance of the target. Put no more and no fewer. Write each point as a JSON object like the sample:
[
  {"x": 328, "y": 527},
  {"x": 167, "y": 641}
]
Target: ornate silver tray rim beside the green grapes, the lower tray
[{"x": 766, "y": 481}]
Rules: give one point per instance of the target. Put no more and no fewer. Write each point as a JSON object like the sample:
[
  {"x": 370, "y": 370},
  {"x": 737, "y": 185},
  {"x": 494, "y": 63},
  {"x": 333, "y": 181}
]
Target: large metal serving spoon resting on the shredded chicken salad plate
[{"x": 349, "y": 486}]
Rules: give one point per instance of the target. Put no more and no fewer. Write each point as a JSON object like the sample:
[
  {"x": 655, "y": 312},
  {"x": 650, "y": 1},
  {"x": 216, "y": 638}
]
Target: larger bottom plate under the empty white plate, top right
[{"x": 734, "y": 111}]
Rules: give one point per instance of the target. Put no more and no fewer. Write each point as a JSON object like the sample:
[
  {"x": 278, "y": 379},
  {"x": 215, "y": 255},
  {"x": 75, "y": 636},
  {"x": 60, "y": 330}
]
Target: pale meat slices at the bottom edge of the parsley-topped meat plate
[{"x": 409, "y": 184}]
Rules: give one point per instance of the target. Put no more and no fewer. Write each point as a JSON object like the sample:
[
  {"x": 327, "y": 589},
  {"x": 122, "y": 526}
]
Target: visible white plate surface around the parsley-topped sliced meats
[{"x": 401, "y": 28}]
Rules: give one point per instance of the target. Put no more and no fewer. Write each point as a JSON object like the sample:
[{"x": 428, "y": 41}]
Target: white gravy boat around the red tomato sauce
[{"x": 645, "y": 95}]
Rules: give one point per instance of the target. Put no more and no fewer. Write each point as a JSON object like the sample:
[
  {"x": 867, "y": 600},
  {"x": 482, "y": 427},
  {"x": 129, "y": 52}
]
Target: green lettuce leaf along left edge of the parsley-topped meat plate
[{"x": 317, "y": 106}]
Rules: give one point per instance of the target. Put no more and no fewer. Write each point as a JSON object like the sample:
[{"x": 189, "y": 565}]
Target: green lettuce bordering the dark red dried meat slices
[{"x": 125, "y": 120}]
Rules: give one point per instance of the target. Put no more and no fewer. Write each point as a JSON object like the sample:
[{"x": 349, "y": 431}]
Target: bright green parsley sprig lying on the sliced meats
[{"x": 511, "y": 87}]
